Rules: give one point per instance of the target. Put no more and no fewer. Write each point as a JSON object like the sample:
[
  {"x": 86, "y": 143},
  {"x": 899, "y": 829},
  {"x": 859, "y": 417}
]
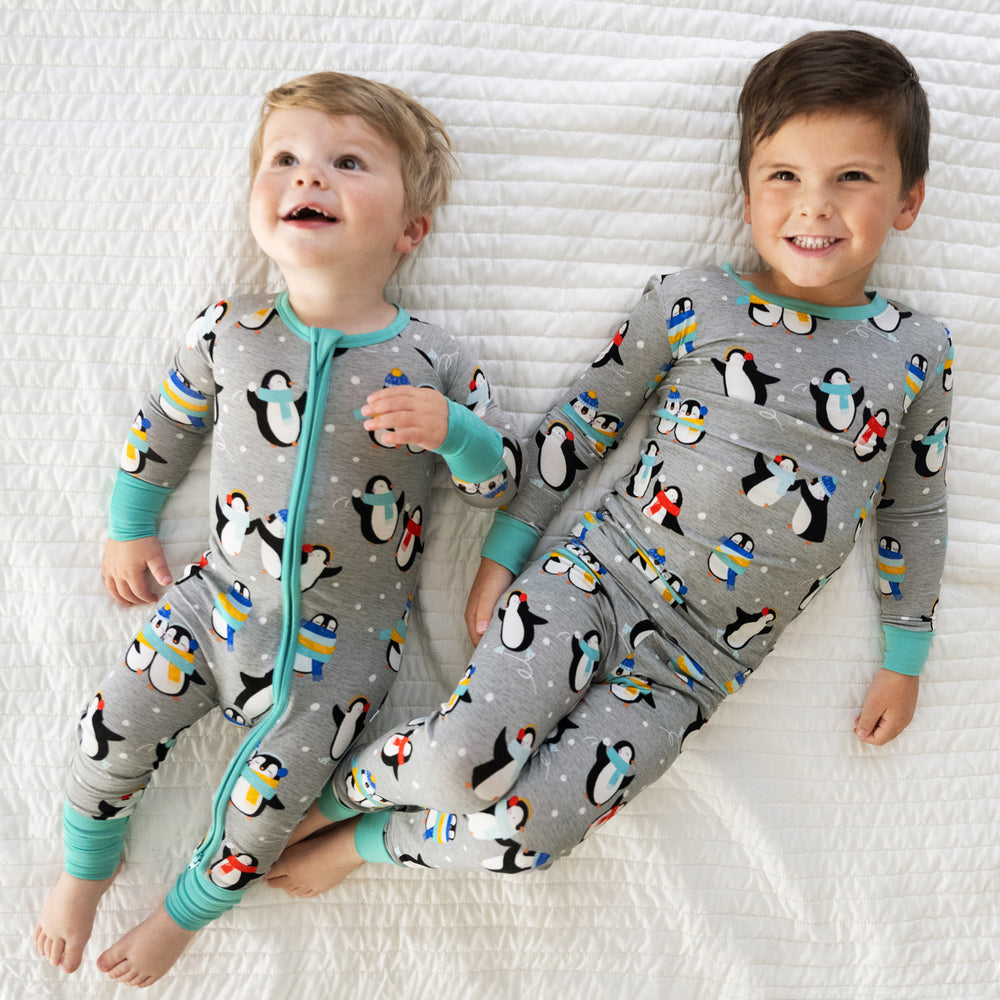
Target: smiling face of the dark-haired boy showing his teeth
[{"x": 822, "y": 194}]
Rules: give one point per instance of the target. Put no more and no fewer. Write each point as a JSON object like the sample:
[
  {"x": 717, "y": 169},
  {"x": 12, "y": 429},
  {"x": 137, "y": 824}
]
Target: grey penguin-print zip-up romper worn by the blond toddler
[{"x": 296, "y": 614}]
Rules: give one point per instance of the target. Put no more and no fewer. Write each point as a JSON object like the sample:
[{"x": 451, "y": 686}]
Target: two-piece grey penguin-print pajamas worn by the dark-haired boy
[{"x": 776, "y": 429}]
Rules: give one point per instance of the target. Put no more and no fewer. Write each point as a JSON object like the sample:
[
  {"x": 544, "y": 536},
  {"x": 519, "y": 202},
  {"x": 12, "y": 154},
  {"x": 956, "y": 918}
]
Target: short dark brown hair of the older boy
[{"x": 831, "y": 71}]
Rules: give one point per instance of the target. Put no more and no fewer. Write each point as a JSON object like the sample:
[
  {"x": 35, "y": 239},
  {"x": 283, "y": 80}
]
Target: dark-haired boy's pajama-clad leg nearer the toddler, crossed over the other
[{"x": 532, "y": 666}]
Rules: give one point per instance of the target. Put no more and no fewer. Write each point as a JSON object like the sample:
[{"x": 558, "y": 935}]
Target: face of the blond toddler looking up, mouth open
[{"x": 329, "y": 194}]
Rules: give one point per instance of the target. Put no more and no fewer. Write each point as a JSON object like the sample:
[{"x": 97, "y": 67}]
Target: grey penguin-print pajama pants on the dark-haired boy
[{"x": 572, "y": 704}]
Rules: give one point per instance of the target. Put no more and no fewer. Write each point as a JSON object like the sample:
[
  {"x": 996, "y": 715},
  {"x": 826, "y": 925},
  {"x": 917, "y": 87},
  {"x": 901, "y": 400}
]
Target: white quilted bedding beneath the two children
[{"x": 779, "y": 858}]
